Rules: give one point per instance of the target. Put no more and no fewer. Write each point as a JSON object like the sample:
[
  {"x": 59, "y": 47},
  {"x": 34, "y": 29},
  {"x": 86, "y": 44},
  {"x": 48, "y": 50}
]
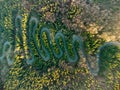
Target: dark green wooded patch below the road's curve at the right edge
[{"x": 109, "y": 60}]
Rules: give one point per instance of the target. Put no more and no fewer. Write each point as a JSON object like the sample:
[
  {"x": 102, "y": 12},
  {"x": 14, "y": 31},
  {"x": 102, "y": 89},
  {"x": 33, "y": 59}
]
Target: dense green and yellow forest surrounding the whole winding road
[{"x": 86, "y": 18}]
